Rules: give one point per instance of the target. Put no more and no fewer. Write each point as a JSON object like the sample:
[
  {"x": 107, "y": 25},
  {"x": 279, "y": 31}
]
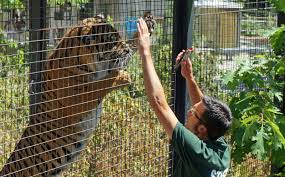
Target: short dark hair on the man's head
[{"x": 218, "y": 117}]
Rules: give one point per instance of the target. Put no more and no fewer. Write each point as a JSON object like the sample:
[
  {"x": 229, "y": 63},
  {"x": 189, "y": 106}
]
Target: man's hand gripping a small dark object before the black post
[{"x": 186, "y": 66}]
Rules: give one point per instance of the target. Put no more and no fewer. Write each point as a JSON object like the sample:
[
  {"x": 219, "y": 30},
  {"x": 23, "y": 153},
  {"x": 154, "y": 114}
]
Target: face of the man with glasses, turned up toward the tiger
[{"x": 194, "y": 123}]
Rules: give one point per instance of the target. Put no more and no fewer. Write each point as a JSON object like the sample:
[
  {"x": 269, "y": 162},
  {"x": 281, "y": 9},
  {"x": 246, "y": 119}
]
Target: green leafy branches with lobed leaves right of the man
[{"x": 256, "y": 86}]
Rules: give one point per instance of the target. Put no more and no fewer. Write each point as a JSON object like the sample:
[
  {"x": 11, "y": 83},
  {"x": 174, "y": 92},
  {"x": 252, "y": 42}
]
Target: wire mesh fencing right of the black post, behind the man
[{"x": 224, "y": 32}]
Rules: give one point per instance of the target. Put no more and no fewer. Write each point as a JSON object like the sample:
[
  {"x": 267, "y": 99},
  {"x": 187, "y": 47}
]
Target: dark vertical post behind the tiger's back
[{"x": 37, "y": 12}]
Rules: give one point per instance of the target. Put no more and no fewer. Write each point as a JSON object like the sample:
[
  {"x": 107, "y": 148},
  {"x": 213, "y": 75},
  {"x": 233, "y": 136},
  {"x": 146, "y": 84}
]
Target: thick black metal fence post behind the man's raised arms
[{"x": 182, "y": 39}]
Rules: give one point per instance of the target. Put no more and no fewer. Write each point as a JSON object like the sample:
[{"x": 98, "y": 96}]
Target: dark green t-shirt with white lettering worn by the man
[{"x": 198, "y": 158}]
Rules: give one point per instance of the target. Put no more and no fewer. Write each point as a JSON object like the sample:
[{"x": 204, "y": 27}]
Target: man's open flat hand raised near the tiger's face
[{"x": 143, "y": 38}]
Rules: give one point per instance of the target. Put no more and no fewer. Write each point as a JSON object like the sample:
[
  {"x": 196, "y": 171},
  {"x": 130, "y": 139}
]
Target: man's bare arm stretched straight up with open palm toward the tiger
[{"x": 153, "y": 87}]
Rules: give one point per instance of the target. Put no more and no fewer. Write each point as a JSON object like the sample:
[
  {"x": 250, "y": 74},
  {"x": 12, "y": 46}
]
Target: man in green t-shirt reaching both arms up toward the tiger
[{"x": 201, "y": 148}]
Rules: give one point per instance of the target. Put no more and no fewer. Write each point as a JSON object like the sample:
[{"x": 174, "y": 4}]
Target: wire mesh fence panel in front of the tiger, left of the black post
[{"x": 65, "y": 104}]
